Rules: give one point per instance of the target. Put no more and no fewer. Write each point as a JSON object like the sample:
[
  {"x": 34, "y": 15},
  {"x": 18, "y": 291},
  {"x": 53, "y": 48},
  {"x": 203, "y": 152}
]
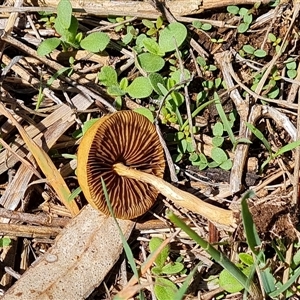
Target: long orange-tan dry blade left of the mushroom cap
[{"x": 45, "y": 163}]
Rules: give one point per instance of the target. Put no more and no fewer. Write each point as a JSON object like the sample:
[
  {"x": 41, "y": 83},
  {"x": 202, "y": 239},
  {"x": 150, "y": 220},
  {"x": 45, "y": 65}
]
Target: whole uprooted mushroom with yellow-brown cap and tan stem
[{"x": 124, "y": 149}]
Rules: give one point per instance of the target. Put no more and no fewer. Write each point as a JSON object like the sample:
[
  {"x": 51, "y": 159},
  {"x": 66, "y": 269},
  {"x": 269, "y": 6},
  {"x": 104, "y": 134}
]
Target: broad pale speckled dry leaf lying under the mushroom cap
[{"x": 82, "y": 255}]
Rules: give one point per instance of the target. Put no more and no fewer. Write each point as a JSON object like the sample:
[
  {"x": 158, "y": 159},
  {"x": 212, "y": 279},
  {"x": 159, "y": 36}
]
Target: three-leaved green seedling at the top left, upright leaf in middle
[{"x": 66, "y": 26}]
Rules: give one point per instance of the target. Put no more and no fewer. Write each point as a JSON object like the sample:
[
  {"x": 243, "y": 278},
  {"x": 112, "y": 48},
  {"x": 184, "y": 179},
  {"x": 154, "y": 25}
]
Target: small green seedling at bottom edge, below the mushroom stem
[{"x": 164, "y": 288}]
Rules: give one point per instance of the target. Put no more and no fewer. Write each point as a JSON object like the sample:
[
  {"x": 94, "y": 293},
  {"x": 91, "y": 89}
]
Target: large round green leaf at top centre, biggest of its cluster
[{"x": 173, "y": 31}]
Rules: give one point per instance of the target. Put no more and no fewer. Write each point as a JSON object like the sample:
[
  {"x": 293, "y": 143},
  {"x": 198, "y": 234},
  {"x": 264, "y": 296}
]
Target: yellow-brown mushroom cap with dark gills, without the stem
[{"x": 122, "y": 137}]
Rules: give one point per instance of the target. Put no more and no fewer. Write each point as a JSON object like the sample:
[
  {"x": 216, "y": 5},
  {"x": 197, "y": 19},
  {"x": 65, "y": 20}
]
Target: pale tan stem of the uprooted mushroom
[{"x": 184, "y": 199}]
